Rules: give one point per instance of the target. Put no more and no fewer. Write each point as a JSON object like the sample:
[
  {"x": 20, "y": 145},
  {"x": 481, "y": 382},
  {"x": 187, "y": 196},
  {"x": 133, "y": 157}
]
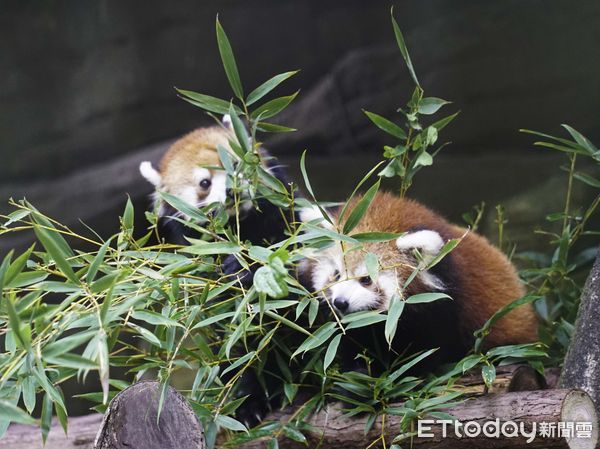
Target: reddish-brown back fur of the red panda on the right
[{"x": 488, "y": 280}]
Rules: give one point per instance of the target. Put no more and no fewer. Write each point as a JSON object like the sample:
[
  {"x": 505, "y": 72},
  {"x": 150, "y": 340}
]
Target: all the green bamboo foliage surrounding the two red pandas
[{"x": 74, "y": 304}]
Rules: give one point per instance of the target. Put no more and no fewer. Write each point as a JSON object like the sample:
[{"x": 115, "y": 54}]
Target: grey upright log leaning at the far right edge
[{"x": 582, "y": 362}]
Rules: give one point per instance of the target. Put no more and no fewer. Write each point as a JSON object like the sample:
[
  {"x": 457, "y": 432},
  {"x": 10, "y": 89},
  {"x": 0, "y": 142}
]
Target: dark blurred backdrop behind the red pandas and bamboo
[{"x": 86, "y": 93}]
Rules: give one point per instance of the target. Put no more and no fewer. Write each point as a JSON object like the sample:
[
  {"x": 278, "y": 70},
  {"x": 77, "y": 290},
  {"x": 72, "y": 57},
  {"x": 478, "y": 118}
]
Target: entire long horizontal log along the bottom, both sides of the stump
[{"x": 334, "y": 430}]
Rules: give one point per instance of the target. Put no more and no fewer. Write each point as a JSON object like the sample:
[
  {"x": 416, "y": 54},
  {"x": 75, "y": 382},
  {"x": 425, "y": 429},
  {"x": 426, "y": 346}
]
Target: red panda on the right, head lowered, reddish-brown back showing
[{"x": 477, "y": 276}]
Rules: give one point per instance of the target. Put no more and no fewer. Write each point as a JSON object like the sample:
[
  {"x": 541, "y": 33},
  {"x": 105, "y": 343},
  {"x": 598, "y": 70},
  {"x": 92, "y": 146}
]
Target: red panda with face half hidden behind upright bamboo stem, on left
[{"x": 192, "y": 170}]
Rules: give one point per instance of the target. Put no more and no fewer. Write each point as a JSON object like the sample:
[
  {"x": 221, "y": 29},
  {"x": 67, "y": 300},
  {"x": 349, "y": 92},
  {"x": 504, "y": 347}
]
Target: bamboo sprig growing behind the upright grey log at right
[{"x": 557, "y": 277}]
